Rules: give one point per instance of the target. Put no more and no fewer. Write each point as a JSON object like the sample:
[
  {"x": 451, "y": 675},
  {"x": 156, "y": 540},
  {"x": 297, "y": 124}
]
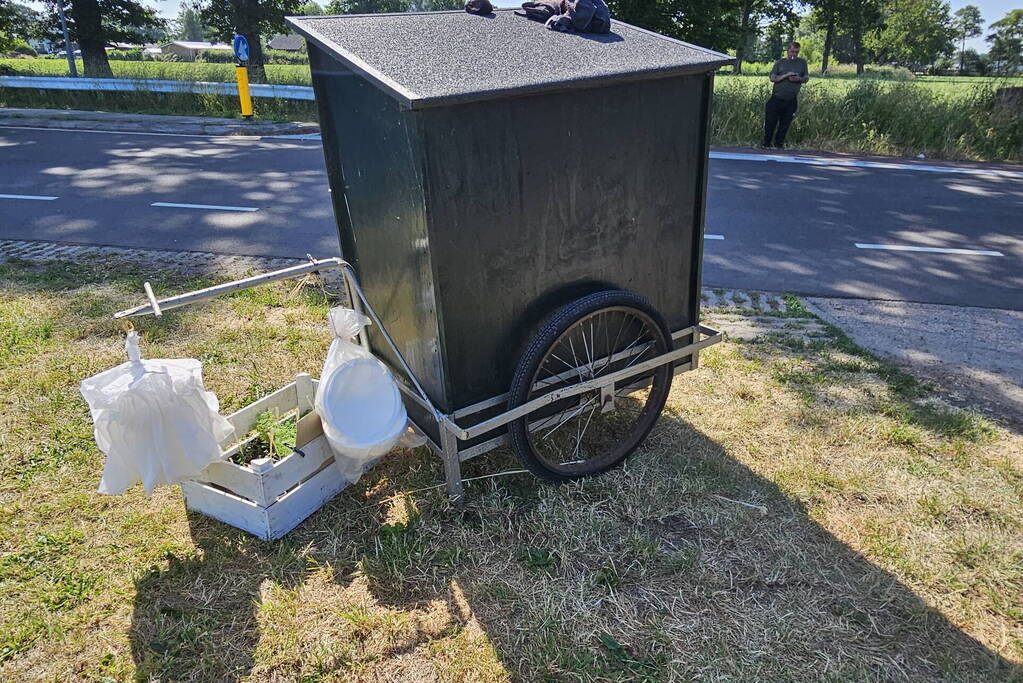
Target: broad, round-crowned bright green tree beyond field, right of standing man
[{"x": 914, "y": 33}]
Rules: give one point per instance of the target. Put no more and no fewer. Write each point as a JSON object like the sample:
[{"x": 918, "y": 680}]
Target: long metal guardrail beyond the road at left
[{"x": 145, "y": 85}]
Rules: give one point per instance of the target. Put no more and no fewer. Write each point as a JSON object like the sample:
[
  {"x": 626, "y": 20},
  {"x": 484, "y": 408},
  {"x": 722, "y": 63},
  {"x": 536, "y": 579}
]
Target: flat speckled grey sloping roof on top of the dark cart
[{"x": 436, "y": 59}]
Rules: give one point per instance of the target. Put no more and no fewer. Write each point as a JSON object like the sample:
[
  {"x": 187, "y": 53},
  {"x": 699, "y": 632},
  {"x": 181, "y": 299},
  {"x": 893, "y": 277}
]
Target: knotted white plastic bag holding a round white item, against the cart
[{"x": 358, "y": 399}]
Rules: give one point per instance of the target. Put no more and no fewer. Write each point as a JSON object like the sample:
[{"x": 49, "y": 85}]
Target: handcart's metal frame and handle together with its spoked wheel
[{"x": 587, "y": 390}]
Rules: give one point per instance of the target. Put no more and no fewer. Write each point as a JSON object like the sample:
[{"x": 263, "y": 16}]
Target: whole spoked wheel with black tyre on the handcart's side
[{"x": 592, "y": 433}]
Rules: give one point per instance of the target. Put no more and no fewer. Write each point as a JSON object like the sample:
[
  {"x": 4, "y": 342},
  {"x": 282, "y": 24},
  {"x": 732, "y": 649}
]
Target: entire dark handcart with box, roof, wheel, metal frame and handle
[{"x": 529, "y": 231}]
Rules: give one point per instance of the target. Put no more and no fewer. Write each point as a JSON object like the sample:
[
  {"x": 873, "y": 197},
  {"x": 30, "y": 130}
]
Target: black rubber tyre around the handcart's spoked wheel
[{"x": 544, "y": 342}]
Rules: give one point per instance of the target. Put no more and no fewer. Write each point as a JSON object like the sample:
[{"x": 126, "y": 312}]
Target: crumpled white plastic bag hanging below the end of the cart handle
[{"x": 155, "y": 421}]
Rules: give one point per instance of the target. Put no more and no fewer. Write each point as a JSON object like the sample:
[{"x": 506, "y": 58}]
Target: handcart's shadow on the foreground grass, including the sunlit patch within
[{"x": 643, "y": 574}]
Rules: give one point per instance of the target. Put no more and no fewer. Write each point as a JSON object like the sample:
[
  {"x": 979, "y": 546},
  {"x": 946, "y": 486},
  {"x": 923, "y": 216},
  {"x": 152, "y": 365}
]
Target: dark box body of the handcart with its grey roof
[{"x": 485, "y": 171}]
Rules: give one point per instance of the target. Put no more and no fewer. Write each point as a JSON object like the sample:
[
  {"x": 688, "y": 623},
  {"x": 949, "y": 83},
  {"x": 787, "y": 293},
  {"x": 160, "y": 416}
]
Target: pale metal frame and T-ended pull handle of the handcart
[{"x": 450, "y": 430}]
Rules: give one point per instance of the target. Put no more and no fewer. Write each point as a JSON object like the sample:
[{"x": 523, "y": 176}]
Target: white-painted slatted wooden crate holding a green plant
[{"x": 271, "y": 498}]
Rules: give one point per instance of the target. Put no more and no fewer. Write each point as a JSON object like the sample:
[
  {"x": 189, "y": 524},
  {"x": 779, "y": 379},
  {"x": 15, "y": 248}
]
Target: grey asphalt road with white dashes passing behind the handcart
[{"x": 772, "y": 226}]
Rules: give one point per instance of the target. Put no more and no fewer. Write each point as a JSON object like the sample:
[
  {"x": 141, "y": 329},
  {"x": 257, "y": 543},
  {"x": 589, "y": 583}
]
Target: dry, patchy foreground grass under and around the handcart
[{"x": 803, "y": 512}]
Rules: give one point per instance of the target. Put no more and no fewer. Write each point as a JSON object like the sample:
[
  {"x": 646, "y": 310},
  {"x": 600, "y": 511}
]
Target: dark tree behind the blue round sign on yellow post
[{"x": 251, "y": 19}]
